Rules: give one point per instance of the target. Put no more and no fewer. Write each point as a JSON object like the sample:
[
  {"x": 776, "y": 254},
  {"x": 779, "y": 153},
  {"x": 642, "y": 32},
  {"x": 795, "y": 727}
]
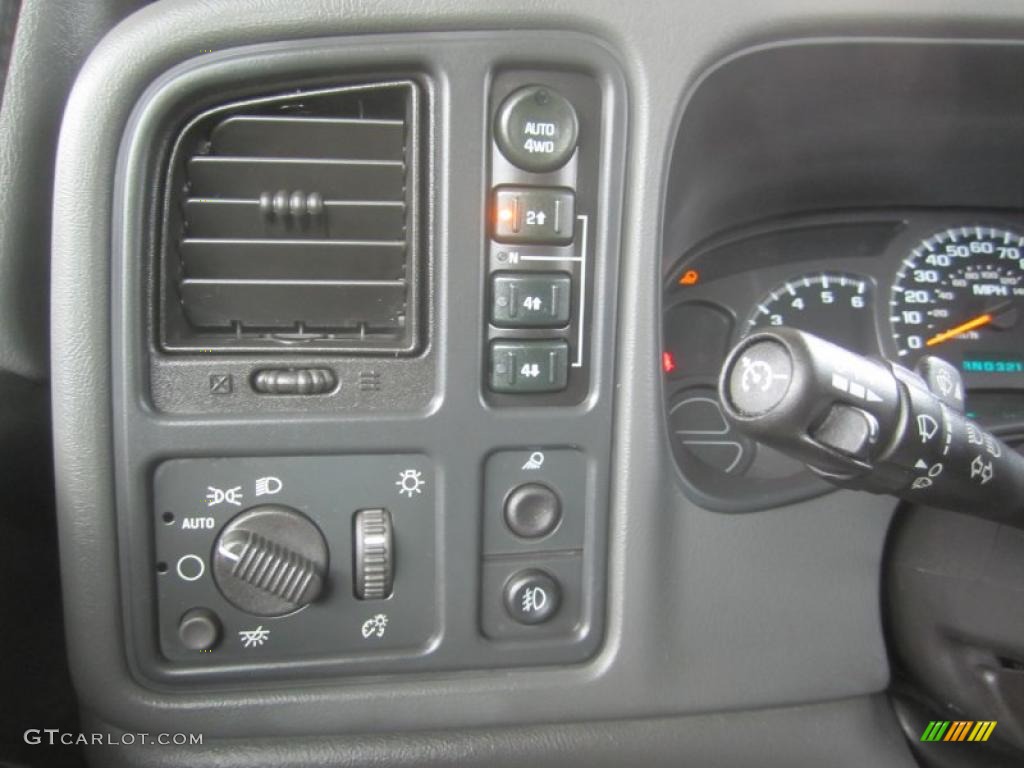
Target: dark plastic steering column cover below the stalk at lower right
[{"x": 953, "y": 596}]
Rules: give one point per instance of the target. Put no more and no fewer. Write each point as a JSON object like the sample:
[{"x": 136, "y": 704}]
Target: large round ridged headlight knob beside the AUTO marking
[{"x": 271, "y": 561}]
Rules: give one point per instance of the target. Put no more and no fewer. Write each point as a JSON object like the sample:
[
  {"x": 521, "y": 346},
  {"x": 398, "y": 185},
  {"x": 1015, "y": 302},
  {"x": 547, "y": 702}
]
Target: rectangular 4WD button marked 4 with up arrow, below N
[{"x": 531, "y": 300}]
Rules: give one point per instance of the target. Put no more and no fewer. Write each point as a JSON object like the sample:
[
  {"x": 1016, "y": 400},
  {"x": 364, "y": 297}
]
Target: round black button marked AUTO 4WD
[{"x": 537, "y": 130}]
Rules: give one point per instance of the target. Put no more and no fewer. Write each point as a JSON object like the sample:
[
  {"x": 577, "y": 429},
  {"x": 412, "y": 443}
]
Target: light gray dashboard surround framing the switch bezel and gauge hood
[{"x": 706, "y": 612}]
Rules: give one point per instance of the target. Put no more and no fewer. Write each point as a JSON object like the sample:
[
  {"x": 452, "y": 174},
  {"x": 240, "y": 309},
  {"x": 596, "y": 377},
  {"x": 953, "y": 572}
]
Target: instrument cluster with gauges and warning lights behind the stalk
[{"x": 891, "y": 285}]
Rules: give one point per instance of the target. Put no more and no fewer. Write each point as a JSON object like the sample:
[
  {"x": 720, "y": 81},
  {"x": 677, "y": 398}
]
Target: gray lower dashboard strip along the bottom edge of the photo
[{"x": 851, "y": 734}]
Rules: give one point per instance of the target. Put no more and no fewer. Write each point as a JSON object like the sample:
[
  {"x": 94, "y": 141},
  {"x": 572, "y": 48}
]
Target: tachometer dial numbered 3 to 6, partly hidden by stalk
[{"x": 832, "y": 306}]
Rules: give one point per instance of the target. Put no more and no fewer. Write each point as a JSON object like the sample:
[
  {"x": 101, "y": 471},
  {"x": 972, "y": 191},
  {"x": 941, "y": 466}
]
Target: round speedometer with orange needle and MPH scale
[{"x": 960, "y": 295}]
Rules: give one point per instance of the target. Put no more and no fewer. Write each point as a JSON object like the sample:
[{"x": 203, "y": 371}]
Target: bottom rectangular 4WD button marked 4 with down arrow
[{"x": 529, "y": 367}]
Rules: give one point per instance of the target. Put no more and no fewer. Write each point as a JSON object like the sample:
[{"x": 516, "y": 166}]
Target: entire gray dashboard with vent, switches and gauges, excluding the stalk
[{"x": 386, "y": 350}]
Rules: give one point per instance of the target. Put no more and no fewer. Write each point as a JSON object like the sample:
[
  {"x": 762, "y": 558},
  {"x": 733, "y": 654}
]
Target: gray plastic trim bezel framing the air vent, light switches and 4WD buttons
[{"x": 422, "y": 417}]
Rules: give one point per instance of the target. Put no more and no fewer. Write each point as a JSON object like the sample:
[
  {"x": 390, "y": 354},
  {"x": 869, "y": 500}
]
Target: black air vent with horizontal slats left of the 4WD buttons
[{"x": 177, "y": 334}]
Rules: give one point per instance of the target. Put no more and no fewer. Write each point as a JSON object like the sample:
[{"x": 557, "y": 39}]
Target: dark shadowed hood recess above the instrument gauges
[{"x": 928, "y": 123}]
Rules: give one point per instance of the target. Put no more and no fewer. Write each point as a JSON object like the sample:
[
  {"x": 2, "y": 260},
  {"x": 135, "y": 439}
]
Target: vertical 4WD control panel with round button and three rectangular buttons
[{"x": 544, "y": 158}]
